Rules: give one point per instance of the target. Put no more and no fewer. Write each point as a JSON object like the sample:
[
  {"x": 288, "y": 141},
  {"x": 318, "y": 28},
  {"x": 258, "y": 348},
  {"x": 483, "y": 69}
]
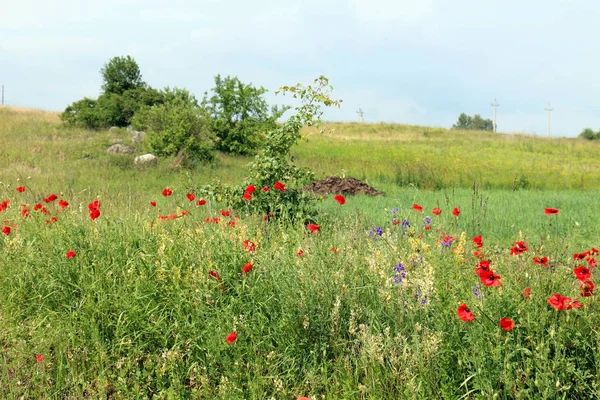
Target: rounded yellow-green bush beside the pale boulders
[{"x": 178, "y": 126}]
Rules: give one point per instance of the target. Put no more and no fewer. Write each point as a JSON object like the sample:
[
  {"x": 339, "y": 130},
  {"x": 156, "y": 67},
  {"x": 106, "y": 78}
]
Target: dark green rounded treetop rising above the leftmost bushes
[{"x": 121, "y": 74}]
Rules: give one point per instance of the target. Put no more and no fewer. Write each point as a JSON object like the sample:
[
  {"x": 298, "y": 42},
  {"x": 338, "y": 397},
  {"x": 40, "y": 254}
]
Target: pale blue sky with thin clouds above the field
[{"x": 420, "y": 62}]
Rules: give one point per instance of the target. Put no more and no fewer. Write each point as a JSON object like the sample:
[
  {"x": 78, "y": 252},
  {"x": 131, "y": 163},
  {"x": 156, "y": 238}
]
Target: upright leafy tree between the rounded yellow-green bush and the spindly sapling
[{"x": 239, "y": 114}]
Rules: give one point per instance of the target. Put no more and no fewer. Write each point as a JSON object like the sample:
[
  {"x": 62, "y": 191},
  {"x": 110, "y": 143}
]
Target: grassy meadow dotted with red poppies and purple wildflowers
[{"x": 110, "y": 296}]
